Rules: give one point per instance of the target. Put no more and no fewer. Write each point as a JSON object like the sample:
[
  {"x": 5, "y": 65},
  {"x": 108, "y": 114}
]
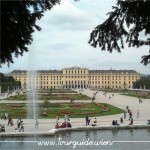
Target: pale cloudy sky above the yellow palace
[{"x": 63, "y": 41}]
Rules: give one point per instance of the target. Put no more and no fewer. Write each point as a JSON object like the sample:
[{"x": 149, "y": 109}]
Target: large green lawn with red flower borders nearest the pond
[{"x": 51, "y": 110}]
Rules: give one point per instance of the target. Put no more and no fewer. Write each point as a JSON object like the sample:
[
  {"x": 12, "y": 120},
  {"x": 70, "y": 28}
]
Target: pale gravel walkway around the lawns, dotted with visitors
[{"x": 117, "y": 100}]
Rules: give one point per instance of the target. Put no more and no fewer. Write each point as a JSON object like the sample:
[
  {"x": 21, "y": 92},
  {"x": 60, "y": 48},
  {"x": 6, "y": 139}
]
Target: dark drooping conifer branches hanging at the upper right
[{"x": 125, "y": 24}]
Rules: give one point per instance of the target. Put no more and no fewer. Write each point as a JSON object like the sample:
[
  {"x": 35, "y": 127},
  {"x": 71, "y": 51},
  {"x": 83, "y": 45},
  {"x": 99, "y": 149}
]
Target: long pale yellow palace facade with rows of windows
[{"x": 76, "y": 77}]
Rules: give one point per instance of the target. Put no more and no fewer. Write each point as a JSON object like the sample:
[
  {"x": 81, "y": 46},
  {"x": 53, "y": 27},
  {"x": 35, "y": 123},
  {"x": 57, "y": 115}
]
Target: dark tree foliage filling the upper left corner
[{"x": 18, "y": 22}]
